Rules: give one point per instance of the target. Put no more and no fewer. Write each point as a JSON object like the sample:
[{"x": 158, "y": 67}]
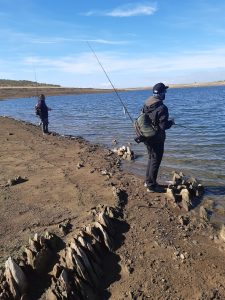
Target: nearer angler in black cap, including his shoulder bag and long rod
[{"x": 155, "y": 122}]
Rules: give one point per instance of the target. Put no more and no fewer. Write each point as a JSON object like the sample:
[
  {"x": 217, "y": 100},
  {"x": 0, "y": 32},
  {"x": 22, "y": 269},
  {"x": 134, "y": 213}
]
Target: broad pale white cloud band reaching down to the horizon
[{"x": 124, "y": 70}]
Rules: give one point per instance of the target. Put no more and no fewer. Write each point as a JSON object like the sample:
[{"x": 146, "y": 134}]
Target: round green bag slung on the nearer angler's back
[{"x": 145, "y": 127}]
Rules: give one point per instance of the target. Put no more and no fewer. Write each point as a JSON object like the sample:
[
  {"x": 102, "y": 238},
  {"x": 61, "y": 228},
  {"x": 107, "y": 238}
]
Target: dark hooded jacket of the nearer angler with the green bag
[{"x": 158, "y": 113}]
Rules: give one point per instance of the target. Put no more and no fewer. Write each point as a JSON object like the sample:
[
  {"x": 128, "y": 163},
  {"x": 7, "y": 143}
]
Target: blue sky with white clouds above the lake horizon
[{"x": 138, "y": 42}]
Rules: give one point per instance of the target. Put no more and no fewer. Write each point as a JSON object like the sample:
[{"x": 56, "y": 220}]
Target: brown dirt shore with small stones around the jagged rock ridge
[{"x": 157, "y": 257}]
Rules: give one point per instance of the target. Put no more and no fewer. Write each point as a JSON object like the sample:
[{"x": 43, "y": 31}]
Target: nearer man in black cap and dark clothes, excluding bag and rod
[{"x": 158, "y": 114}]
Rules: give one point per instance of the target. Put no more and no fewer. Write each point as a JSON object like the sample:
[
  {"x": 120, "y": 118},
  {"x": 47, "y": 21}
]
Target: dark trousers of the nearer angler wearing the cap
[{"x": 155, "y": 154}]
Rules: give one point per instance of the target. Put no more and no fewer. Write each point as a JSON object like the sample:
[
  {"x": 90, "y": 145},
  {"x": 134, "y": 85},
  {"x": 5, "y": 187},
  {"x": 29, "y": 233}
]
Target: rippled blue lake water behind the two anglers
[{"x": 197, "y": 151}]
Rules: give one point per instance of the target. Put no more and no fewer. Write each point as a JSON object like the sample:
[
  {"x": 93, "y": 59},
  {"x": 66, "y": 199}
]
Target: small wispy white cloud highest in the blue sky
[{"x": 129, "y": 10}]
